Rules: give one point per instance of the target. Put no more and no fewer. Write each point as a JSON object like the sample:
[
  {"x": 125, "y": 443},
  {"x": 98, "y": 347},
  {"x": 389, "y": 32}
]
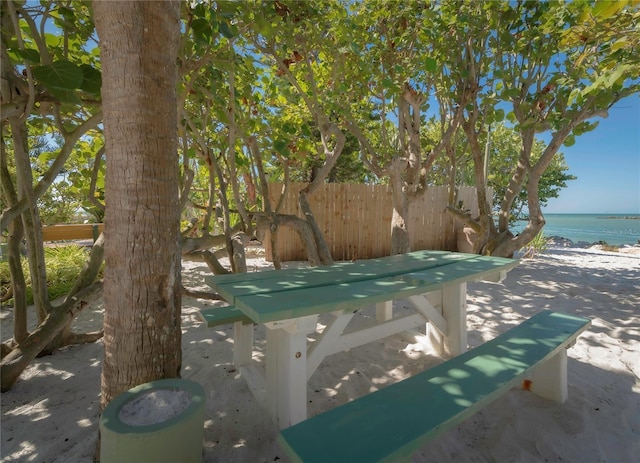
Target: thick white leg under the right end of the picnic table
[{"x": 454, "y": 310}]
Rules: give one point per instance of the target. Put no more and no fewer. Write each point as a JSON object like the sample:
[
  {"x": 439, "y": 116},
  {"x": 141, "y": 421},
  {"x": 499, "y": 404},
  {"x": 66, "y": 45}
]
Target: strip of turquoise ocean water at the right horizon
[{"x": 615, "y": 229}]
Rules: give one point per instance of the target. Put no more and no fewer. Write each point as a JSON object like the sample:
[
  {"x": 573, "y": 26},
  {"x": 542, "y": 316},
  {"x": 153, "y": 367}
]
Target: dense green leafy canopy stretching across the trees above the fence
[{"x": 276, "y": 72}]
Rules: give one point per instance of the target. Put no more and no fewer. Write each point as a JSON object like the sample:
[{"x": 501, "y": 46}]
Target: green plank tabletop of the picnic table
[{"x": 281, "y": 294}]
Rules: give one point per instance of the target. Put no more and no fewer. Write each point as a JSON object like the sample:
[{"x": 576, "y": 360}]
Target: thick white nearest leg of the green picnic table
[{"x": 286, "y": 366}]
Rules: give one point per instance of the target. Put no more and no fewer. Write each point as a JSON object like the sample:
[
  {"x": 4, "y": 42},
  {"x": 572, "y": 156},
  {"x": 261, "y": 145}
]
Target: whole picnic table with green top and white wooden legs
[{"x": 289, "y": 302}]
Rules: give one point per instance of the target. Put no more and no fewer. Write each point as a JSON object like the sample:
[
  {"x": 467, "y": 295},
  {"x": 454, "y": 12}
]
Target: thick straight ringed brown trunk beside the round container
[{"x": 142, "y": 337}]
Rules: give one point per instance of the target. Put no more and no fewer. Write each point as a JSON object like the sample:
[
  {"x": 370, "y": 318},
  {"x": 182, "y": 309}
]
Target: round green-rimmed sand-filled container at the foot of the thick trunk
[{"x": 175, "y": 439}]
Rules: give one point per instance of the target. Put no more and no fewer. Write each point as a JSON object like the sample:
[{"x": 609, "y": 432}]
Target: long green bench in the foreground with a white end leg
[{"x": 392, "y": 423}]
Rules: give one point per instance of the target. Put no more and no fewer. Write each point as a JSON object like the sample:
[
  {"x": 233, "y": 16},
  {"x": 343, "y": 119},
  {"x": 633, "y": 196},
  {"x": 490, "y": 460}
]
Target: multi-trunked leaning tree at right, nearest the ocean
[{"x": 537, "y": 66}]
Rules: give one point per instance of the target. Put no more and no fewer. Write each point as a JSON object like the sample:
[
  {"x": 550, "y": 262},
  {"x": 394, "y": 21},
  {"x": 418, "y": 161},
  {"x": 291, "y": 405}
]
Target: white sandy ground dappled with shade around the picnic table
[{"x": 51, "y": 414}]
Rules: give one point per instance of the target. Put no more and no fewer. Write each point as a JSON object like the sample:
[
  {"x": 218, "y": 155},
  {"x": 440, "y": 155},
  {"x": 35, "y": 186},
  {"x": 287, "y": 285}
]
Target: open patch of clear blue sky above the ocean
[{"x": 607, "y": 164}]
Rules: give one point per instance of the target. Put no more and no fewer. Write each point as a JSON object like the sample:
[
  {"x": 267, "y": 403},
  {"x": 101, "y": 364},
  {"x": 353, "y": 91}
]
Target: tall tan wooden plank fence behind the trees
[{"x": 356, "y": 220}]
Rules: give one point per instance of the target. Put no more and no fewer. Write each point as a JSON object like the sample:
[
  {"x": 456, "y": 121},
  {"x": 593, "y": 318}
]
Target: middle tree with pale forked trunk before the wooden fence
[{"x": 393, "y": 62}]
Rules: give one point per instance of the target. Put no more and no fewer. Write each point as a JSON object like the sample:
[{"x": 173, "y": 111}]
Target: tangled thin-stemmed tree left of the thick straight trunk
[{"x": 50, "y": 88}]
